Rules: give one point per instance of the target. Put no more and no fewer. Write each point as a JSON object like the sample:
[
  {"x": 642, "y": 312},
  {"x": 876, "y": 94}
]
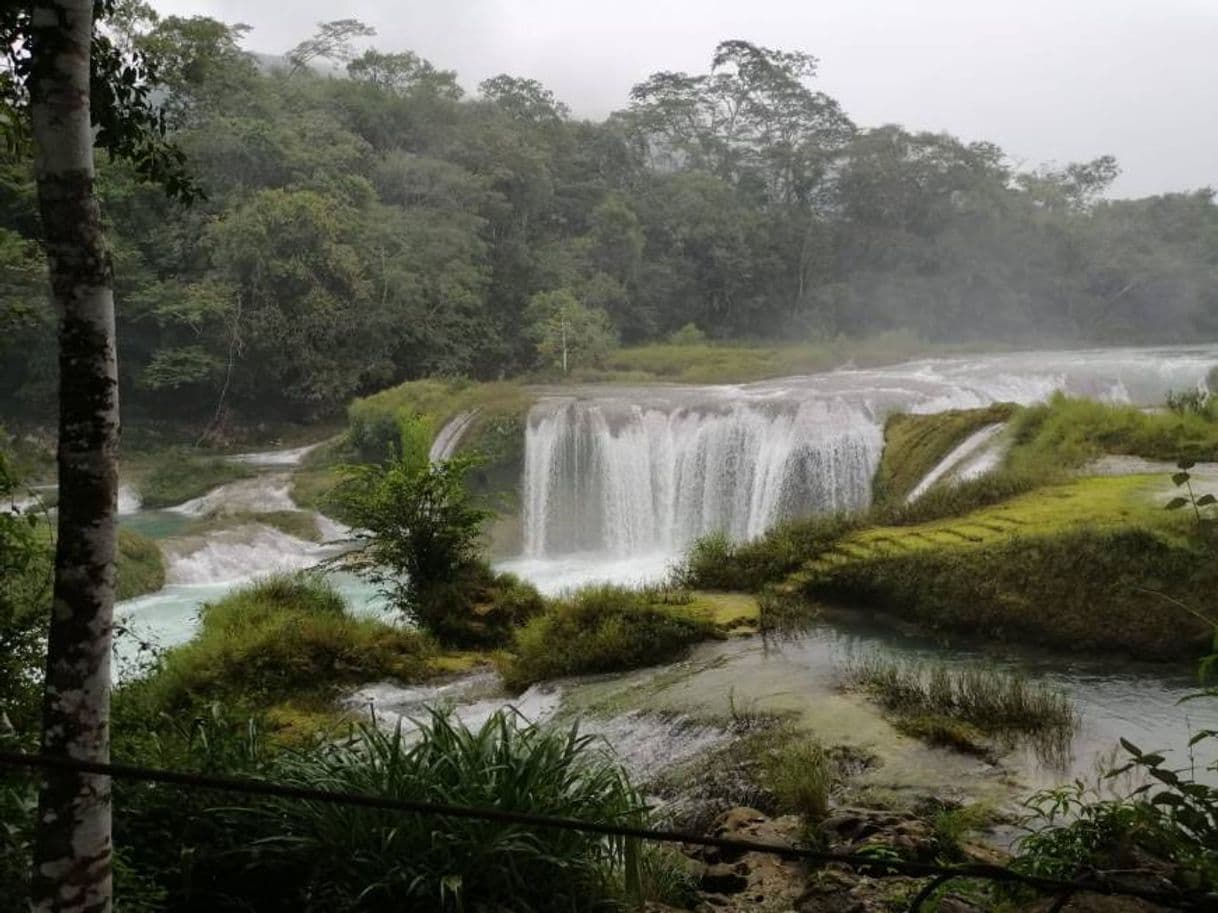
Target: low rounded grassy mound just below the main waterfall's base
[{"x": 606, "y": 629}]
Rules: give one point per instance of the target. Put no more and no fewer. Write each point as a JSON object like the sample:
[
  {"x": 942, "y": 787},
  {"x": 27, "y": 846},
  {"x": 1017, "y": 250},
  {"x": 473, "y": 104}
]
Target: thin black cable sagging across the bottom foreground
[{"x": 1200, "y": 901}]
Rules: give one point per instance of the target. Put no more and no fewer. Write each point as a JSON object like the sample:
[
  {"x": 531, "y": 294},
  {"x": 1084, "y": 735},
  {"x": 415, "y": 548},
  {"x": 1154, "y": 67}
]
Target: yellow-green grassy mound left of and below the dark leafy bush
[{"x": 283, "y": 638}]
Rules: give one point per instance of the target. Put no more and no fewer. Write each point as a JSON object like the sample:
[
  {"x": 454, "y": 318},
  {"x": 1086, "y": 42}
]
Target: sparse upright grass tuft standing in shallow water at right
[{"x": 990, "y": 699}]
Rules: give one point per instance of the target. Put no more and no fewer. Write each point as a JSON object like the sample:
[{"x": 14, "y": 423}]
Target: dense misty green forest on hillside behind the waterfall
[{"x": 365, "y": 221}]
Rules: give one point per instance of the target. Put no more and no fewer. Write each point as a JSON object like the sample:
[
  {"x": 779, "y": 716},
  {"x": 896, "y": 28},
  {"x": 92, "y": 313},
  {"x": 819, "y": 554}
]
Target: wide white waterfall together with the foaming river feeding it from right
[{"x": 617, "y": 473}]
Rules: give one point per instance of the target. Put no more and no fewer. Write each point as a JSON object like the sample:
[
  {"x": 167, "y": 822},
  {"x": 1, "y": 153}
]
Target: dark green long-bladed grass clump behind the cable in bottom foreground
[{"x": 326, "y": 856}]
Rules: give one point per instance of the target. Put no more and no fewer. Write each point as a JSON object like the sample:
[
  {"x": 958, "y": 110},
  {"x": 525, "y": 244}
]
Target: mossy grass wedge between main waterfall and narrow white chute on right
[{"x": 915, "y": 445}]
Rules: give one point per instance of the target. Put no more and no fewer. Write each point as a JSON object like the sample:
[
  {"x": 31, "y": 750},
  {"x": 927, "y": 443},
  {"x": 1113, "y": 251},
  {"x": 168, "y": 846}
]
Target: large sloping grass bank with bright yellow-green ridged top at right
[{"x": 1092, "y": 565}]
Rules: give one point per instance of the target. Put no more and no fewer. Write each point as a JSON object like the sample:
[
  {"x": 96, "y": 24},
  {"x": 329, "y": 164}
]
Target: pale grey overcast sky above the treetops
[{"x": 1051, "y": 81}]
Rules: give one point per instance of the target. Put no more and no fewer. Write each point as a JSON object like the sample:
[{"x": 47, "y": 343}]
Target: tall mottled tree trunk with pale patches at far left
[{"x": 72, "y": 849}]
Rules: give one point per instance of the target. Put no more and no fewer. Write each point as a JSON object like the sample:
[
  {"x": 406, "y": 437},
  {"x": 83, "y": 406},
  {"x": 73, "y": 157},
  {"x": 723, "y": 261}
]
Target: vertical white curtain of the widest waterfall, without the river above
[{"x": 627, "y": 479}]
